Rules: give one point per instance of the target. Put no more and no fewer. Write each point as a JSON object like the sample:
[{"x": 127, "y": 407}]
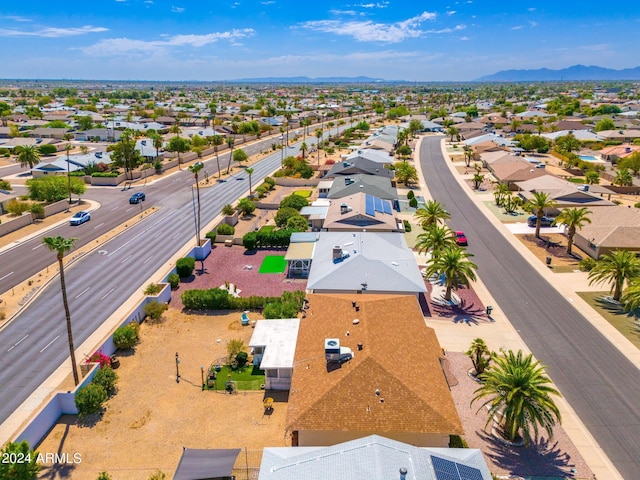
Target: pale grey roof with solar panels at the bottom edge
[{"x": 373, "y": 457}]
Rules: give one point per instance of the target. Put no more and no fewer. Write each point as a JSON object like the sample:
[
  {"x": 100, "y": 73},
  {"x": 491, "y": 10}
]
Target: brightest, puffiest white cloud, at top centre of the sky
[{"x": 369, "y": 31}]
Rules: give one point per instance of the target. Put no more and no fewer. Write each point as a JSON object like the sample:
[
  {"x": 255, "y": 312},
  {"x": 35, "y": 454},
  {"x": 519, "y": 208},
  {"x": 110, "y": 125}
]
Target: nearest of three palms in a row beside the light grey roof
[{"x": 453, "y": 264}]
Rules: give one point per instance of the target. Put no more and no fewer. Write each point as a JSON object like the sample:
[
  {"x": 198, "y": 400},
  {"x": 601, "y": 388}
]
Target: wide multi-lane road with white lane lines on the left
[{"x": 34, "y": 344}]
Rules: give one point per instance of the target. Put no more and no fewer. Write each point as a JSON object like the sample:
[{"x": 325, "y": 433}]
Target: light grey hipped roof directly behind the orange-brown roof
[{"x": 364, "y": 262}]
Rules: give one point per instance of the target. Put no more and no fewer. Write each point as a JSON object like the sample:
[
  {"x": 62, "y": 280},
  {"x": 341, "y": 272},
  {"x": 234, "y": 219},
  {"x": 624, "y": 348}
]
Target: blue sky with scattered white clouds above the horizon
[{"x": 417, "y": 40}]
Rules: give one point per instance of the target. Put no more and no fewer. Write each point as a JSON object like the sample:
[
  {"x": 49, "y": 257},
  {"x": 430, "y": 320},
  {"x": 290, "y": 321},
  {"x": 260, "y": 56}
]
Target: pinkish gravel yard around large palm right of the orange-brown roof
[{"x": 557, "y": 458}]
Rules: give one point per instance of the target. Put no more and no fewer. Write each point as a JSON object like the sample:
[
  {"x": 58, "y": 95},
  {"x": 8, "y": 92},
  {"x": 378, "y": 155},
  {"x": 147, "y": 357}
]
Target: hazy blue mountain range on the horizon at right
[{"x": 573, "y": 73}]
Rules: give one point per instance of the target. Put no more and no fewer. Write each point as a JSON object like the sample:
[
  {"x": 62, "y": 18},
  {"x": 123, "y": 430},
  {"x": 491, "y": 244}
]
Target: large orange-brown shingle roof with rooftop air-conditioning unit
[{"x": 400, "y": 357}]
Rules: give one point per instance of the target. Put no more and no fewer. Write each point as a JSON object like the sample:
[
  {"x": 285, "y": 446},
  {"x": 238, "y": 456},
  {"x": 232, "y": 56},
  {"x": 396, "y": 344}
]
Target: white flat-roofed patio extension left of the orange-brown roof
[{"x": 273, "y": 343}]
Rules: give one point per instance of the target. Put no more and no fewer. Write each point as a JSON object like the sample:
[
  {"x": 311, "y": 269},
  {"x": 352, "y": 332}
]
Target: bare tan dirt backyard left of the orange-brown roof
[{"x": 152, "y": 417}]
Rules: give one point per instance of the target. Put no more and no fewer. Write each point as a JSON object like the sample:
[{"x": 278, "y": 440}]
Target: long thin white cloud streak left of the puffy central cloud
[{"x": 127, "y": 46}]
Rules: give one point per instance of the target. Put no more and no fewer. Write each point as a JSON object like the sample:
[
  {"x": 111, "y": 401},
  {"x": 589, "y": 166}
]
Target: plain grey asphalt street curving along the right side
[{"x": 599, "y": 382}]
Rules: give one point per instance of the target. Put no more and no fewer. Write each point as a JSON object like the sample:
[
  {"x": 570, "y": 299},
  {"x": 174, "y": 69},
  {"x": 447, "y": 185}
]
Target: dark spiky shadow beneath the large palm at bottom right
[{"x": 542, "y": 459}]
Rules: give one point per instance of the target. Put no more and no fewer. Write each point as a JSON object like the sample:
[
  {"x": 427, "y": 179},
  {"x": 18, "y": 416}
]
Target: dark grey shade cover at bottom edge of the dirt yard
[{"x": 205, "y": 464}]
